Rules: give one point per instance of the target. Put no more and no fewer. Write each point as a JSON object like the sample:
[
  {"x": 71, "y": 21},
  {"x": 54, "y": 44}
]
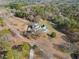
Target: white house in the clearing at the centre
[{"x": 35, "y": 27}]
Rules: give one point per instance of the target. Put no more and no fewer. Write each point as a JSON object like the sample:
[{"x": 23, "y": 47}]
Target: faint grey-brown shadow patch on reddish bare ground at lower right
[{"x": 64, "y": 47}]
